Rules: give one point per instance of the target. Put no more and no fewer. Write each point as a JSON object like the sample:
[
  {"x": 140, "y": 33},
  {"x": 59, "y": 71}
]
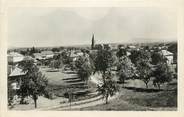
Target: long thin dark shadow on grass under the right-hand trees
[{"x": 143, "y": 89}]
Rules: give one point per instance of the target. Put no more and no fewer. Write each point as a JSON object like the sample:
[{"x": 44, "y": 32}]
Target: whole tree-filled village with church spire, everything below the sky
[{"x": 95, "y": 77}]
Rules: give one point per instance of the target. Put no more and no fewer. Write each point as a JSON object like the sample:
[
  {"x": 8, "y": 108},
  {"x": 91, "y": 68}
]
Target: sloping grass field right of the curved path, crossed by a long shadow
[{"x": 139, "y": 99}]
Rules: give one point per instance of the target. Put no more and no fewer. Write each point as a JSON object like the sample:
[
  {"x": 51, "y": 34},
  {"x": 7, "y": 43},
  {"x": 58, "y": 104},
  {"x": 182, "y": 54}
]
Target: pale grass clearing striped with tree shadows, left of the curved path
[{"x": 58, "y": 82}]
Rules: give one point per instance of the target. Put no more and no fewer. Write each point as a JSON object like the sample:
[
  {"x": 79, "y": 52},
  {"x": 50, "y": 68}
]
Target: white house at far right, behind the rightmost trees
[{"x": 168, "y": 55}]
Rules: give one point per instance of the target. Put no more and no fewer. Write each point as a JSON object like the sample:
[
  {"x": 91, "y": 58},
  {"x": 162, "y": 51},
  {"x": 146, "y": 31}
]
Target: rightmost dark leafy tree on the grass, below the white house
[{"x": 161, "y": 74}]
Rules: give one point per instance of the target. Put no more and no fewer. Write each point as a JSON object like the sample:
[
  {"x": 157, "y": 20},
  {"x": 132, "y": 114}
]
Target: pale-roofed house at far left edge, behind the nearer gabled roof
[{"x": 15, "y": 57}]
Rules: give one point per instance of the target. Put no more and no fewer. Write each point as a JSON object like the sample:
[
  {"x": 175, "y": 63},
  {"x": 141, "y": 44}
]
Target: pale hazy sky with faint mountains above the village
[{"x": 47, "y": 26}]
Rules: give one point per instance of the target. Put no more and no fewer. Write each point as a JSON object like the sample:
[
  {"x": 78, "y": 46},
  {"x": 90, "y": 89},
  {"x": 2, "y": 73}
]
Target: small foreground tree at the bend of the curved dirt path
[{"x": 108, "y": 88}]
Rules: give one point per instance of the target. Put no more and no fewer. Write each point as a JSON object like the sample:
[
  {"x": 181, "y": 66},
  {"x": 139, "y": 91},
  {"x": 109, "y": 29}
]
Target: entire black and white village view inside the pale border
[{"x": 92, "y": 59}]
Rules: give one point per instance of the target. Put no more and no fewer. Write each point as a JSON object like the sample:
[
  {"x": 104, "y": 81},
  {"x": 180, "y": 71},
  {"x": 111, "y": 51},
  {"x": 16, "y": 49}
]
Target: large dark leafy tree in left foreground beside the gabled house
[{"x": 34, "y": 83}]
